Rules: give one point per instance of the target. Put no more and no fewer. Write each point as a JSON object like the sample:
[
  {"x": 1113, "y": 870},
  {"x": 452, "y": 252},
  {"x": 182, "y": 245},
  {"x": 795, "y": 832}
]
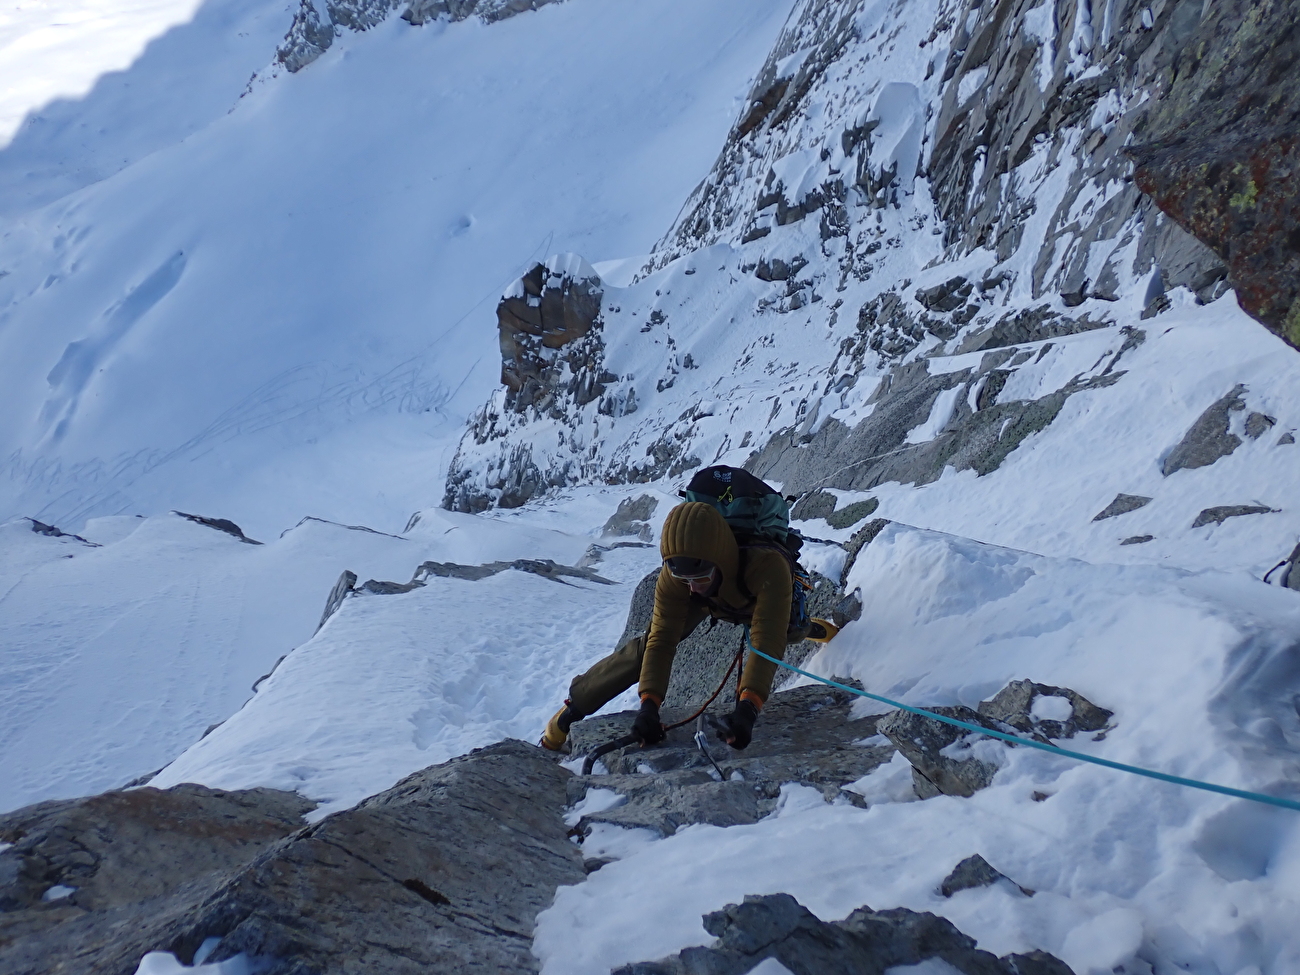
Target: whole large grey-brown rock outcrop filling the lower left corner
[{"x": 445, "y": 872}]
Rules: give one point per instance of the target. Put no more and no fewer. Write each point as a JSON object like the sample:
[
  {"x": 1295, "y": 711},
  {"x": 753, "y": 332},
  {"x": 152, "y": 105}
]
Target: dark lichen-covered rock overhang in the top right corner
[{"x": 1221, "y": 154}]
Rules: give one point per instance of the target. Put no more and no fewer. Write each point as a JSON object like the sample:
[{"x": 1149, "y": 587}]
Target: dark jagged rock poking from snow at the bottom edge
[{"x": 866, "y": 943}]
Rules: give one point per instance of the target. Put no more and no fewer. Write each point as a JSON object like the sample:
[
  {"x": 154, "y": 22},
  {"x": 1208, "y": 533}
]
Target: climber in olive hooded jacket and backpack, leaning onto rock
[{"x": 707, "y": 573}]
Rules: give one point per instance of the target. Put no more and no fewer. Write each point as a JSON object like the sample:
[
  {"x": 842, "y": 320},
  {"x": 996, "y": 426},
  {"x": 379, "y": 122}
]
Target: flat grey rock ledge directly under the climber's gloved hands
[{"x": 805, "y": 735}]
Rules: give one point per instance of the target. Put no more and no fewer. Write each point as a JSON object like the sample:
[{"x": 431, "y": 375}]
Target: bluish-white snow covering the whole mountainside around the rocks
[{"x": 274, "y": 305}]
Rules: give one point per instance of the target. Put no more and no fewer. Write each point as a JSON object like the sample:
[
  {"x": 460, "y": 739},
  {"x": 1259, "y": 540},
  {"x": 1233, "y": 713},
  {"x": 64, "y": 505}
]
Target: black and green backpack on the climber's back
[{"x": 760, "y": 518}]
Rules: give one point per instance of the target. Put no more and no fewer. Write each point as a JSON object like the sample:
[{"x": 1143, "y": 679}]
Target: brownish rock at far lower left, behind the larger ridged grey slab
[{"x": 131, "y": 857}]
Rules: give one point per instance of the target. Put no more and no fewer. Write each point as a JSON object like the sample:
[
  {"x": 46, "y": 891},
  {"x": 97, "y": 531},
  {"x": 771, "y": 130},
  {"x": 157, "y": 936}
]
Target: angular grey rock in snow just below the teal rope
[{"x": 922, "y": 742}]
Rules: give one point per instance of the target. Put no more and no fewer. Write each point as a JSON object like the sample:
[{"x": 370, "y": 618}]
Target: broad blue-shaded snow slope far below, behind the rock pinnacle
[{"x": 236, "y": 319}]
